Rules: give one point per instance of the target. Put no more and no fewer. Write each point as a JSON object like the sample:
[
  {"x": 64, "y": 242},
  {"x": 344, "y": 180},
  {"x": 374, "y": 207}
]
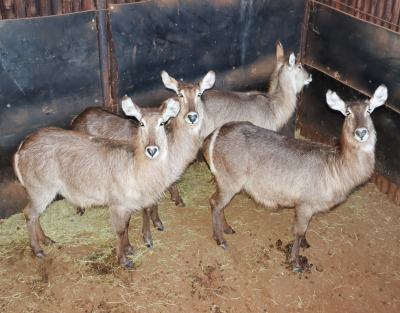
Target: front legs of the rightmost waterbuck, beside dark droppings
[{"x": 303, "y": 217}]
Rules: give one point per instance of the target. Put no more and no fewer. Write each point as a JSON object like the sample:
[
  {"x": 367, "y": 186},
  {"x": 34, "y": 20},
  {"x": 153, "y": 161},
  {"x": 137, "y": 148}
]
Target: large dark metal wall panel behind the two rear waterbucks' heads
[{"x": 234, "y": 38}]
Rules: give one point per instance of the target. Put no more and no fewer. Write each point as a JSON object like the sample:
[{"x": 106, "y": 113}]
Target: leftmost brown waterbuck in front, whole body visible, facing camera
[{"x": 126, "y": 176}]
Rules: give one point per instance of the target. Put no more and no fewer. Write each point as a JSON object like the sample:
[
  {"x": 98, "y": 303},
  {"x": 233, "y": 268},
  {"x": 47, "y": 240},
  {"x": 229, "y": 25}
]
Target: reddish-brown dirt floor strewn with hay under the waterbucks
[{"x": 353, "y": 261}]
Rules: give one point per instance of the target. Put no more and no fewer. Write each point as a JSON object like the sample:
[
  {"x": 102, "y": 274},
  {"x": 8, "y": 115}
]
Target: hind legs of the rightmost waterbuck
[{"x": 218, "y": 201}]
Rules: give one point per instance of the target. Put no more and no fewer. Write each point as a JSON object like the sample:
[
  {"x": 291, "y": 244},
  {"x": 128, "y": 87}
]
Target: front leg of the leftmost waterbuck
[{"x": 118, "y": 221}]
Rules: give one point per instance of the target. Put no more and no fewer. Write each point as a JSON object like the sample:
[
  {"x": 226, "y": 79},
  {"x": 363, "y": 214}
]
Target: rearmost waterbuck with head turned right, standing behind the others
[{"x": 269, "y": 110}]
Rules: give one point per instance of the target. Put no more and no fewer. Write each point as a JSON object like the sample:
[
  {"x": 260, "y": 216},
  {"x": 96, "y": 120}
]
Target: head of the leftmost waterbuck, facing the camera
[{"x": 151, "y": 133}]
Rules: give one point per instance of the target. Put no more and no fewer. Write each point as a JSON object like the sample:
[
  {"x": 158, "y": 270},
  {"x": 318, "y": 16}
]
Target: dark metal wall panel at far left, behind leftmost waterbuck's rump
[{"x": 49, "y": 72}]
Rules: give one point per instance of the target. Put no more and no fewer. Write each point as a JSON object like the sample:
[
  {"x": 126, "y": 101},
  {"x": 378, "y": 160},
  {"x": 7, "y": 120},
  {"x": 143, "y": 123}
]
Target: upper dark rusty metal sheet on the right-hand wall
[{"x": 360, "y": 54}]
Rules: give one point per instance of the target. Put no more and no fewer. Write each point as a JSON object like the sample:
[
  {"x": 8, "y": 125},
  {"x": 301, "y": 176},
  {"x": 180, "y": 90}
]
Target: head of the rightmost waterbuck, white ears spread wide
[{"x": 358, "y": 123}]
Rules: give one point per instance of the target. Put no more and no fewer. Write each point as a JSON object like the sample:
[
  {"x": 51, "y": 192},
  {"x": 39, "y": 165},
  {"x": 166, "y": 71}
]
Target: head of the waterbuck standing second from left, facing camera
[{"x": 189, "y": 96}]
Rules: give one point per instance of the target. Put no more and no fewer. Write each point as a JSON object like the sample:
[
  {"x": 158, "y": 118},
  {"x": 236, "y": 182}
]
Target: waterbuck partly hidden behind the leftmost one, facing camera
[{"x": 184, "y": 141}]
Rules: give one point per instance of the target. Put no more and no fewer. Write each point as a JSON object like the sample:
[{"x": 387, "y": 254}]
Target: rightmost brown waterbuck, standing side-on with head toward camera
[{"x": 279, "y": 171}]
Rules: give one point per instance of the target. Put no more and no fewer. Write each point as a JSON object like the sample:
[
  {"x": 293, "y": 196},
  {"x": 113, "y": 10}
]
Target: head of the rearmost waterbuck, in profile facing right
[{"x": 289, "y": 71}]
